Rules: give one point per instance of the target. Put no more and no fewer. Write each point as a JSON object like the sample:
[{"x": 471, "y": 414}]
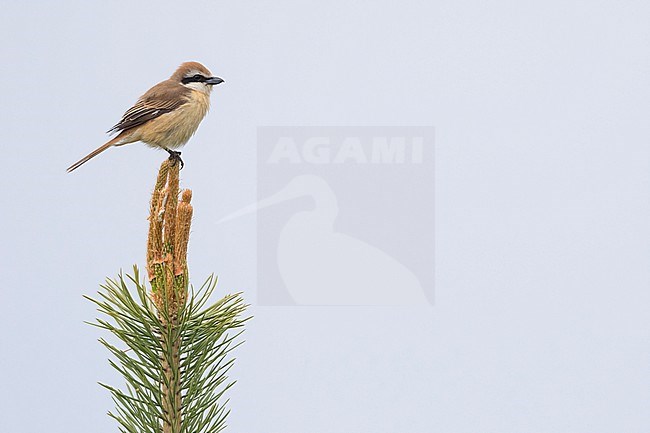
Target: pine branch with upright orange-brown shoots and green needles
[{"x": 174, "y": 350}]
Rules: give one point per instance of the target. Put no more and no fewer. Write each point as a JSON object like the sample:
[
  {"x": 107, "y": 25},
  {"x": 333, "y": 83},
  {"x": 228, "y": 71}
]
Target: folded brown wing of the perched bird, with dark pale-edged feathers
[{"x": 160, "y": 99}]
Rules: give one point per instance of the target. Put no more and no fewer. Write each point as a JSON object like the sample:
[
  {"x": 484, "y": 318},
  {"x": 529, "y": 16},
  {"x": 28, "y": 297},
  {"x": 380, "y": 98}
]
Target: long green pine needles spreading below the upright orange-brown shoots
[{"x": 204, "y": 348}]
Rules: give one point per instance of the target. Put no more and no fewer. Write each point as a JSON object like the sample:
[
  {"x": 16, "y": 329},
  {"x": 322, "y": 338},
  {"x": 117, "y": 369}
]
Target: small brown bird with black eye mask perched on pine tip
[{"x": 167, "y": 115}]
